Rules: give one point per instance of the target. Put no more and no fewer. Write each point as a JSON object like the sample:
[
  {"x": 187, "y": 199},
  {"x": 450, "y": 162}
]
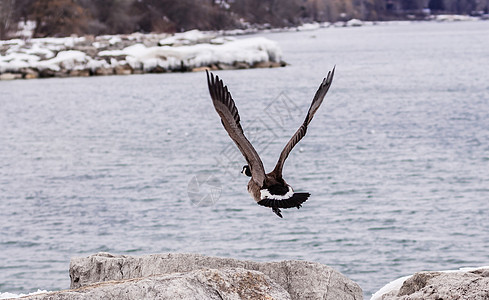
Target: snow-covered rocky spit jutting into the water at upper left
[{"x": 133, "y": 54}]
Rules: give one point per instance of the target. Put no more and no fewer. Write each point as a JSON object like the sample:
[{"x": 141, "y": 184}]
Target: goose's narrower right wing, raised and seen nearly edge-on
[{"x": 301, "y": 132}]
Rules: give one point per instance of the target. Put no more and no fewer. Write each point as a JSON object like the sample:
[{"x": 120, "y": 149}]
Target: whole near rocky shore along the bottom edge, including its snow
[{"x": 194, "y": 276}]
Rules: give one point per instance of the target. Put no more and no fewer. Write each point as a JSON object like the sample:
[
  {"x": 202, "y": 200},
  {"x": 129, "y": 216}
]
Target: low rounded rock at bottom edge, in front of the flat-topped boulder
[{"x": 232, "y": 284}]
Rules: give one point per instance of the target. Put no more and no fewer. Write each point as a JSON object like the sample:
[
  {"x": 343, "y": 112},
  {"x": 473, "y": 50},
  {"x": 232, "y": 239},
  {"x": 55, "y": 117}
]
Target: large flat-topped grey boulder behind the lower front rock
[{"x": 302, "y": 279}]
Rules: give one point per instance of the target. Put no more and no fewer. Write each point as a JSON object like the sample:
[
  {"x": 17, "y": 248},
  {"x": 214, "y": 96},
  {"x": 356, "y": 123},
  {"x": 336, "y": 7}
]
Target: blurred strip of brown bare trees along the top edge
[{"x": 65, "y": 17}]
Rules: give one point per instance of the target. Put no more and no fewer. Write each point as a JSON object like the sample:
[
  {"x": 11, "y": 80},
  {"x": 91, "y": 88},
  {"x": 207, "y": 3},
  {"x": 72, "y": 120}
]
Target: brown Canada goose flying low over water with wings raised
[{"x": 270, "y": 189}]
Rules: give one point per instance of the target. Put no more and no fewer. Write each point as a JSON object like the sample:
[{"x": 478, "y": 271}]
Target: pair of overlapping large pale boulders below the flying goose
[{"x": 194, "y": 276}]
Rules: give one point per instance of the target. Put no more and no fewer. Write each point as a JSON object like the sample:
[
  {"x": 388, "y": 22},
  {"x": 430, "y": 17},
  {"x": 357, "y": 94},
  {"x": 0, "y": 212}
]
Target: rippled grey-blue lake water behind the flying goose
[{"x": 396, "y": 160}]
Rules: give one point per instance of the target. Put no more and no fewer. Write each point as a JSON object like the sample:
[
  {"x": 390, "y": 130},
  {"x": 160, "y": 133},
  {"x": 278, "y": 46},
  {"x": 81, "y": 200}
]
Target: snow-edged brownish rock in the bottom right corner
[{"x": 469, "y": 284}]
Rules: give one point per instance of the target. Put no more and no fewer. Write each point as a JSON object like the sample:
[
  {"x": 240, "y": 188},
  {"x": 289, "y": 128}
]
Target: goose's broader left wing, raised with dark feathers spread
[{"x": 226, "y": 108}]
